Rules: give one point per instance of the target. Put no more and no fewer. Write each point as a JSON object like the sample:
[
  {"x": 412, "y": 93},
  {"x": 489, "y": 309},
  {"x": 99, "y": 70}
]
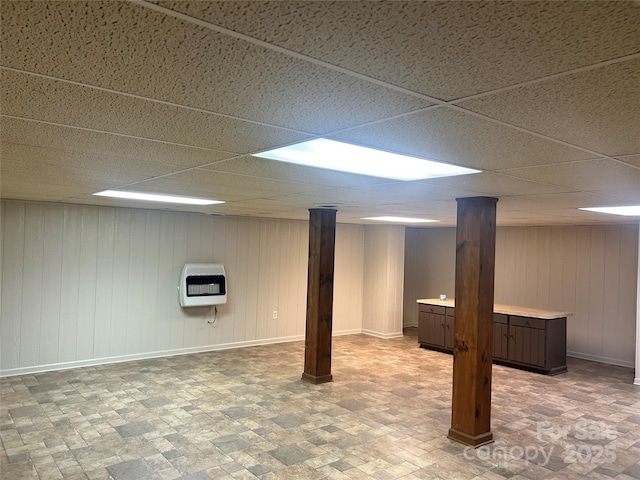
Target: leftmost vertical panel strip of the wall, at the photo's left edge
[{"x": 12, "y": 275}]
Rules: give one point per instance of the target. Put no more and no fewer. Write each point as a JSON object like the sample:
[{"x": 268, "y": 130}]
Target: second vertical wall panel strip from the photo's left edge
[{"x": 32, "y": 284}]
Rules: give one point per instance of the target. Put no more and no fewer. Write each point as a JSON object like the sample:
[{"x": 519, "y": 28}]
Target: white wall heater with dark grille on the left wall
[{"x": 202, "y": 284}]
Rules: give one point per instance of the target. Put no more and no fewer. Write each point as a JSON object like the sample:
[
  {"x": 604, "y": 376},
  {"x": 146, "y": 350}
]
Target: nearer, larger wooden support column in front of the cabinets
[{"x": 473, "y": 326}]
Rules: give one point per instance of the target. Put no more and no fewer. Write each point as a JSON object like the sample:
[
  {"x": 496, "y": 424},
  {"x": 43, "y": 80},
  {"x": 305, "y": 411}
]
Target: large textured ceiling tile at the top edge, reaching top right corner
[{"x": 445, "y": 49}]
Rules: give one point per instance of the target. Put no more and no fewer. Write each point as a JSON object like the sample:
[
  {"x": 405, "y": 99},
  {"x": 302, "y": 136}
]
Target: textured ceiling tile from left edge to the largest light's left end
[{"x": 58, "y": 102}]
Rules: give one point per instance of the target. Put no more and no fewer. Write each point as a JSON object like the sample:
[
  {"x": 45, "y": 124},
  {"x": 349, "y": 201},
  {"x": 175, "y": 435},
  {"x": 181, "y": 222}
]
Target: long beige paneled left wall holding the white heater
[{"x": 84, "y": 285}]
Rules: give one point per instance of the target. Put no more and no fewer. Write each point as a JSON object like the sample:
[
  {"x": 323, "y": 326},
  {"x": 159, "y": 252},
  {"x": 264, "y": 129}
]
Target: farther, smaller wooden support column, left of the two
[{"x": 317, "y": 345}]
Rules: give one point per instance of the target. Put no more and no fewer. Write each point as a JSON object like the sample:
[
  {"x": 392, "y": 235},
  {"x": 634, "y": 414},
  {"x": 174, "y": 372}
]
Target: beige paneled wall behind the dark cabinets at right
[{"x": 588, "y": 270}]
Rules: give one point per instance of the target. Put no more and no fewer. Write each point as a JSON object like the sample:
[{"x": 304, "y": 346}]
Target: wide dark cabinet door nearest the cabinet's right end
[{"x": 526, "y": 341}]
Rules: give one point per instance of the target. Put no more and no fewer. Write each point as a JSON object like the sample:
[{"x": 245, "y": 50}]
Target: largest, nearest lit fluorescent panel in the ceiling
[{"x": 344, "y": 157}]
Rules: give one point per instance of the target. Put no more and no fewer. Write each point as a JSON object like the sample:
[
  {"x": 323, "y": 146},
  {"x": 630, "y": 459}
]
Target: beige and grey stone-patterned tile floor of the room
[{"x": 245, "y": 413}]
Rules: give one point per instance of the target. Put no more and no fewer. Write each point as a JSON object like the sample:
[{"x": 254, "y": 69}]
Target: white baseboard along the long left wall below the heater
[{"x": 12, "y": 372}]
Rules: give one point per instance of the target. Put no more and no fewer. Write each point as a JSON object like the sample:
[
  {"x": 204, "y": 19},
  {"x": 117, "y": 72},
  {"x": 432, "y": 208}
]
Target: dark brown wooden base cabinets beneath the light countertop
[{"x": 528, "y": 343}]
